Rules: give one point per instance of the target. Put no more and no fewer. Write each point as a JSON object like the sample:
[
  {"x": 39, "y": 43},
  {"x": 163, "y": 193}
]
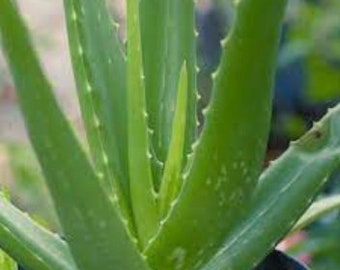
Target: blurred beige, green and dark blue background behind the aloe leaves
[{"x": 306, "y": 84}]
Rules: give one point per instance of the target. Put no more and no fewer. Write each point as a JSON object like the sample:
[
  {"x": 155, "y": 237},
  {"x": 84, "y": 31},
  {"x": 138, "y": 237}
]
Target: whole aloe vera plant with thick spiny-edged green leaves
[{"x": 152, "y": 192}]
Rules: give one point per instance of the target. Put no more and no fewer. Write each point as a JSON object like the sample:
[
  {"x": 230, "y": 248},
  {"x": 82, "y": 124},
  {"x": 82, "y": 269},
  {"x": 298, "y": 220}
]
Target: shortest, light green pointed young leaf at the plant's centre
[{"x": 172, "y": 180}]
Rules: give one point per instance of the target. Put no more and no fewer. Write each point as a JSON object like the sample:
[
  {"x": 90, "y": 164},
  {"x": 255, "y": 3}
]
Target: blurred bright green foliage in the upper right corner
[{"x": 315, "y": 36}]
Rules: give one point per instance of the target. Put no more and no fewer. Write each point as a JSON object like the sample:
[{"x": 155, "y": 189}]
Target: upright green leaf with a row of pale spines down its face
[{"x": 99, "y": 70}]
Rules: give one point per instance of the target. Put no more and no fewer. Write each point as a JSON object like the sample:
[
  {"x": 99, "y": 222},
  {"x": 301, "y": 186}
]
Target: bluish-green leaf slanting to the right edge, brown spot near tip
[{"x": 286, "y": 189}]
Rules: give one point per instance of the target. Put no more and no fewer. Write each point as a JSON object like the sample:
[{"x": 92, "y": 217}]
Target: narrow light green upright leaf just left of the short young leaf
[{"x": 143, "y": 197}]
